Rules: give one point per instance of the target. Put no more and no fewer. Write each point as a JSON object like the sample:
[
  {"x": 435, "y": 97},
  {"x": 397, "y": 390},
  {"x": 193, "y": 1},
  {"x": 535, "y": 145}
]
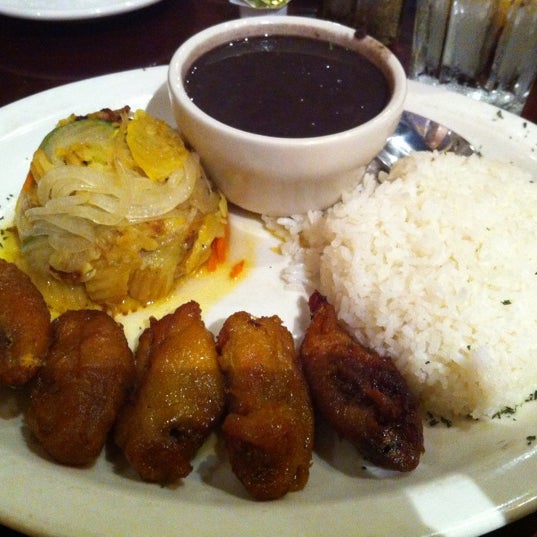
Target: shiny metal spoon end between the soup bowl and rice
[{"x": 418, "y": 133}]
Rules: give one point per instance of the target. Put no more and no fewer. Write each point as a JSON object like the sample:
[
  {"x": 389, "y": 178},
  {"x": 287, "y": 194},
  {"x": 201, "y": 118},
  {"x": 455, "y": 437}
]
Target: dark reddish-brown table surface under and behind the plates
[{"x": 38, "y": 55}]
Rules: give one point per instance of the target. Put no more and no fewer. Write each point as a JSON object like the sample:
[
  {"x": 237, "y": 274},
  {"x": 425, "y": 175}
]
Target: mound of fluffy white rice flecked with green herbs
[{"x": 437, "y": 268}]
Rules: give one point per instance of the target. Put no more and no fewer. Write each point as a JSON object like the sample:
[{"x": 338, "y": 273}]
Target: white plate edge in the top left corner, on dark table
[{"x": 69, "y": 9}]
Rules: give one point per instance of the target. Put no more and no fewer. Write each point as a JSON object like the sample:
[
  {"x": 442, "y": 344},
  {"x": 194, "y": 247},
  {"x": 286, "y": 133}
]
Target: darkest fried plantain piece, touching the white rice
[{"x": 361, "y": 394}]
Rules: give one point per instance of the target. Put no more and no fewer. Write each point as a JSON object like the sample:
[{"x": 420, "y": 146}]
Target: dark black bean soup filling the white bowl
[{"x": 287, "y": 86}]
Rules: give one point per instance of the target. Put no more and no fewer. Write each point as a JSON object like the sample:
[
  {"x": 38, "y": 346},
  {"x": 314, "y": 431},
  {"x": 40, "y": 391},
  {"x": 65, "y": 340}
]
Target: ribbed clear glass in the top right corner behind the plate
[{"x": 486, "y": 49}]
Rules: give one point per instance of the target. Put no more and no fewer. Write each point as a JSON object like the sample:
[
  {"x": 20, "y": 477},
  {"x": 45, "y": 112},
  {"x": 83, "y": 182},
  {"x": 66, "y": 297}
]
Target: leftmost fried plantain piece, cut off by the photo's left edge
[{"x": 25, "y": 329}]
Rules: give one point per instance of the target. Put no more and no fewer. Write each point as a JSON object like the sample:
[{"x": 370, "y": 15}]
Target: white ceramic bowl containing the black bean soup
[{"x": 283, "y": 176}]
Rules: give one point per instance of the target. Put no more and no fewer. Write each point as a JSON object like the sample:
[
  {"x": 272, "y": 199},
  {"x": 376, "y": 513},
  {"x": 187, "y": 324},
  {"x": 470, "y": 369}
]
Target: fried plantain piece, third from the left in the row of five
[{"x": 178, "y": 399}]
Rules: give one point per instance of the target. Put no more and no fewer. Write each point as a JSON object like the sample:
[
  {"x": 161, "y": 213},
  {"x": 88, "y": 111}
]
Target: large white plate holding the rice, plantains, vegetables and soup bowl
[{"x": 472, "y": 478}]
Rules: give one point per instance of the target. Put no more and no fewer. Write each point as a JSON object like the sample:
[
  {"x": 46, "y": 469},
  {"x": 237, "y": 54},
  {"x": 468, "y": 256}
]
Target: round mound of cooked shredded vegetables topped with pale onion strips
[{"x": 114, "y": 202}]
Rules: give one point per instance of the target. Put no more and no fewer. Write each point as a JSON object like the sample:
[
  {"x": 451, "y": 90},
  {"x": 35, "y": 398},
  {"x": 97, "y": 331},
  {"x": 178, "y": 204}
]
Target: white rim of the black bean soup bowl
[{"x": 223, "y": 32}]
